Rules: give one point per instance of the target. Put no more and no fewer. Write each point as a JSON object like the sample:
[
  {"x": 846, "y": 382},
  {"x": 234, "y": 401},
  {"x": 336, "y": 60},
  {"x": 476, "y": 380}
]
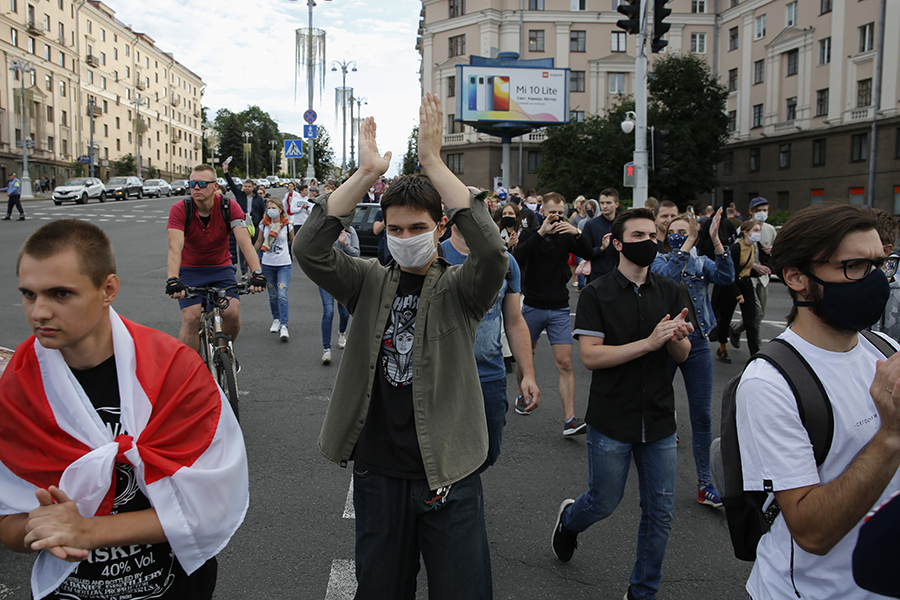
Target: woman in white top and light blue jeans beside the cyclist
[{"x": 274, "y": 240}]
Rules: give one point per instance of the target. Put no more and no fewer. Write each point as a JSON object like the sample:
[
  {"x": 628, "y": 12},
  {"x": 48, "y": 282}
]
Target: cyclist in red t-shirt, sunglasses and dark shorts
[{"x": 198, "y": 252}]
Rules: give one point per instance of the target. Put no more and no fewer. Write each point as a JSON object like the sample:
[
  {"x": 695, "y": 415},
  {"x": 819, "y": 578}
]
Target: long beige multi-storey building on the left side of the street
[{"x": 144, "y": 101}]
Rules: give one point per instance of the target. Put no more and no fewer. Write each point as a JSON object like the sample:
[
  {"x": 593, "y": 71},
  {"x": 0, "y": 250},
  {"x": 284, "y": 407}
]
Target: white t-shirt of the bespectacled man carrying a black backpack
[{"x": 775, "y": 446}]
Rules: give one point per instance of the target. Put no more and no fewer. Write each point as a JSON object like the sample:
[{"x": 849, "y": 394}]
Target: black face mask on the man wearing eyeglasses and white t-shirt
[{"x": 853, "y": 305}]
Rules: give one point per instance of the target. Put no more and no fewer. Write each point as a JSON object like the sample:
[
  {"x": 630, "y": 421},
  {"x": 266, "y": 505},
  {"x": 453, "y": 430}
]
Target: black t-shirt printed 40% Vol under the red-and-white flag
[{"x": 128, "y": 572}]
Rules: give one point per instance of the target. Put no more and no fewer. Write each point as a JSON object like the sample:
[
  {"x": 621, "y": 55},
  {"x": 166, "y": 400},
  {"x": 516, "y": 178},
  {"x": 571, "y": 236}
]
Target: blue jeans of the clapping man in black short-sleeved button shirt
[{"x": 608, "y": 463}]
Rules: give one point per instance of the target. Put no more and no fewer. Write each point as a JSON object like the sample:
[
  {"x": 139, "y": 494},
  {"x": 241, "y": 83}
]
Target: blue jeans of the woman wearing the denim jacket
[{"x": 697, "y": 374}]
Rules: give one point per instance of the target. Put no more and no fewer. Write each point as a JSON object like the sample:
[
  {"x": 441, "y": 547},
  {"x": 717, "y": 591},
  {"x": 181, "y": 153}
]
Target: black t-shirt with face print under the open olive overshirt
[{"x": 388, "y": 444}]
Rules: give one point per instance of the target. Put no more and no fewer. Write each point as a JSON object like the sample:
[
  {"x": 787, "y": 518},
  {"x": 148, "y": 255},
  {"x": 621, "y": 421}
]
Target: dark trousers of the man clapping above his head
[{"x": 394, "y": 527}]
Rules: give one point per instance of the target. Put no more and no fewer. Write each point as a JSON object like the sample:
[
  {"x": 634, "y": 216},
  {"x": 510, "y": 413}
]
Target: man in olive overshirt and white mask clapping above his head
[{"x": 407, "y": 406}]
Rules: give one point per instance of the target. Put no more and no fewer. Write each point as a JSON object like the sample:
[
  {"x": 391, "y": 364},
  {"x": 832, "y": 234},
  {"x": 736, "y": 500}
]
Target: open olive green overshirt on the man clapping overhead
[{"x": 447, "y": 400}]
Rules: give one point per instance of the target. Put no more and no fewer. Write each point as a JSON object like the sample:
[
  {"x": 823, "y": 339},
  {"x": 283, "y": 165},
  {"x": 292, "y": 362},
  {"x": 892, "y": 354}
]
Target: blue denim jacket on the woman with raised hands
[{"x": 697, "y": 272}]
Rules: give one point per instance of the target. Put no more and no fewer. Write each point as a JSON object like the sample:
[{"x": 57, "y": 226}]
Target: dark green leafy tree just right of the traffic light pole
[{"x": 689, "y": 102}]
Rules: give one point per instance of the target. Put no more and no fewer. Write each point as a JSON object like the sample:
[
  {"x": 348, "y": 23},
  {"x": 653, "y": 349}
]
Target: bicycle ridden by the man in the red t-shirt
[{"x": 216, "y": 349}]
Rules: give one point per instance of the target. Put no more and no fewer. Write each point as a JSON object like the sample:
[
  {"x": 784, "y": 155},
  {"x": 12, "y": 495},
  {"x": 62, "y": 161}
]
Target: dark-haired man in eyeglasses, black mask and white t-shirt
[{"x": 832, "y": 260}]
